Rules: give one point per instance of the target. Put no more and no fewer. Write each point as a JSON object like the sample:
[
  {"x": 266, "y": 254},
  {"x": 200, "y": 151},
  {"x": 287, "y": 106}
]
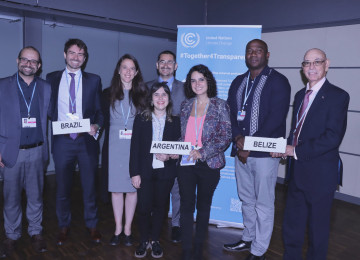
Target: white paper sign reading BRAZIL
[{"x": 70, "y": 127}]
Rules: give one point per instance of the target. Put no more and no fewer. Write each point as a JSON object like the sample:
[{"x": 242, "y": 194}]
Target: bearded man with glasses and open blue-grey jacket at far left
[{"x": 24, "y": 101}]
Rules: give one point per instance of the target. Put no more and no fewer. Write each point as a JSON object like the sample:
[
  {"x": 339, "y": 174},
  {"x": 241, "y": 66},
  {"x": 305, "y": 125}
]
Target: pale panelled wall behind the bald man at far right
[{"x": 341, "y": 44}]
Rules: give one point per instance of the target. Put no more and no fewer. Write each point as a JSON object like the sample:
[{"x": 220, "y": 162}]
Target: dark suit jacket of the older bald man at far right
[{"x": 317, "y": 167}]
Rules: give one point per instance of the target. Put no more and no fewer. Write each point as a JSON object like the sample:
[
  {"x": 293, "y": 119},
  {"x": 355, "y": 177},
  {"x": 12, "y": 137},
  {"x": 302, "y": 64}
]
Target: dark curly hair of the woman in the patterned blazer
[{"x": 211, "y": 82}]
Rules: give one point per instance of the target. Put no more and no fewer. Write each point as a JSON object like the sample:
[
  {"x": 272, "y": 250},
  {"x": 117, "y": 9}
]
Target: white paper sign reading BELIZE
[{"x": 264, "y": 144}]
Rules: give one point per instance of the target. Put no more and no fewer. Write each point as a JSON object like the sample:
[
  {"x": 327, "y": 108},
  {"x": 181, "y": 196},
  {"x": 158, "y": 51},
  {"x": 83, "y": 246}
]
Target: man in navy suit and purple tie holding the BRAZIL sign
[{"x": 76, "y": 95}]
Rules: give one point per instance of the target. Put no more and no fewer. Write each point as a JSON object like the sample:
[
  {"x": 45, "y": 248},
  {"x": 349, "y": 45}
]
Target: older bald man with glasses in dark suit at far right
[{"x": 318, "y": 127}]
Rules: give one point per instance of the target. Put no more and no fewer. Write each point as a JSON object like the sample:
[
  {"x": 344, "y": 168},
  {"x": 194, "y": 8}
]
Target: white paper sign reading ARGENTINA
[{"x": 168, "y": 147}]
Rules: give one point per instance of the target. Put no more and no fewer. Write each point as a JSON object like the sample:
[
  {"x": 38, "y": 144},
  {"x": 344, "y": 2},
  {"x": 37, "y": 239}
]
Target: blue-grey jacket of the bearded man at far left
[{"x": 10, "y": 120}]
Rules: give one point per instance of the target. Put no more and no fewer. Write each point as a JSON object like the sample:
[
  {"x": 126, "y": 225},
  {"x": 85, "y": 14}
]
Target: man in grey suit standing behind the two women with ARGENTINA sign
[{"x": 166, "y": 67}]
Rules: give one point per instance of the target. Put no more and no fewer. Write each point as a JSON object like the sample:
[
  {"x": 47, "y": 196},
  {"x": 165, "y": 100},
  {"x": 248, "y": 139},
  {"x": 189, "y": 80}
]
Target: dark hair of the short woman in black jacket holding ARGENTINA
[{"x": 150, "y": 106}]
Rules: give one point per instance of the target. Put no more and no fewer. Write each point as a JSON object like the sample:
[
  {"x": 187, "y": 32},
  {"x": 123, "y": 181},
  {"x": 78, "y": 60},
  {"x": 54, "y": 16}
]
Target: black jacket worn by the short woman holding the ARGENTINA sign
[{"x": 140, "y": 156}]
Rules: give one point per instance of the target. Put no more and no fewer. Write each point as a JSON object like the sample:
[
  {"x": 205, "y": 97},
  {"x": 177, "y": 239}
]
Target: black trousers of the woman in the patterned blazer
[{"x": 197, "y": 186}]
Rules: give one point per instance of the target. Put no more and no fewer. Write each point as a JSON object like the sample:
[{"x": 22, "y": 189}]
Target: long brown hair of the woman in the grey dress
[{"x": 138, "y": 91}]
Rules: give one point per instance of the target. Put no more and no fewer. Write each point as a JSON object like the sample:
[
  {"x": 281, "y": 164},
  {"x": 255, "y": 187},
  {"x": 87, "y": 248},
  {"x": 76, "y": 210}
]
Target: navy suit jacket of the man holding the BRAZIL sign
[{"x": 91, "y": 106}]
